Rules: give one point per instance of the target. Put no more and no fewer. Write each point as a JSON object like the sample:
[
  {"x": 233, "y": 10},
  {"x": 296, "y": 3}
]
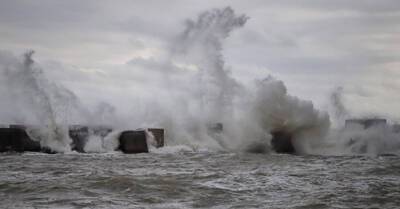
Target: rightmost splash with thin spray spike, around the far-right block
[{"x": 357, "y": 138}]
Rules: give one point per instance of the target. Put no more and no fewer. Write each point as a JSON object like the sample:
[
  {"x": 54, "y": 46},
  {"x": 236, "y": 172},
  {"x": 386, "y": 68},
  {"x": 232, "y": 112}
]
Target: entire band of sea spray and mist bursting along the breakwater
[{"x": 194, "y": 91}]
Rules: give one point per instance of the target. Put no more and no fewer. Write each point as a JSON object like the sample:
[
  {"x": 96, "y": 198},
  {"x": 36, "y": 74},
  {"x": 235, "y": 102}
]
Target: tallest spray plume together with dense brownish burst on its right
[{"x": 248, "y": 116}]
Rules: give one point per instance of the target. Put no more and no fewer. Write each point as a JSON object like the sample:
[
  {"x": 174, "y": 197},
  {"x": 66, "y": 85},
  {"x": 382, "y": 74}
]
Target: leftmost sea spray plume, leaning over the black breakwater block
[{"x": 29, "y": 90}]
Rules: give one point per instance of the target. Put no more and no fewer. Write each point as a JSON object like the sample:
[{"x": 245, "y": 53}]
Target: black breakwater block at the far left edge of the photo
[{"x": 16, "y": 139}]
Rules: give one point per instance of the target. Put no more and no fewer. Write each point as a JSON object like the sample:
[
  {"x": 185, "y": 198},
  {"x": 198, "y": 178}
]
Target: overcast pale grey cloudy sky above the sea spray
[{"x": 313, "y": 46}]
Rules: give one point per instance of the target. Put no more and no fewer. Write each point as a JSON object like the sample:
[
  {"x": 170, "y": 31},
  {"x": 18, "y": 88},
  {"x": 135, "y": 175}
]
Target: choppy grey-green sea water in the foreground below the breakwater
[{"x": 198, "y": 180}]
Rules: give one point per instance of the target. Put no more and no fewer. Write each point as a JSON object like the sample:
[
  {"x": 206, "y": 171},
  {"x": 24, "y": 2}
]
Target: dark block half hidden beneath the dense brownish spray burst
[{"x": 282, "y": 142}]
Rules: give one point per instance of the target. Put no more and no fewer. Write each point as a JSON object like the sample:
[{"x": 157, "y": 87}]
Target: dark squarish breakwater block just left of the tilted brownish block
[{"x": 133, "y": 142}]
